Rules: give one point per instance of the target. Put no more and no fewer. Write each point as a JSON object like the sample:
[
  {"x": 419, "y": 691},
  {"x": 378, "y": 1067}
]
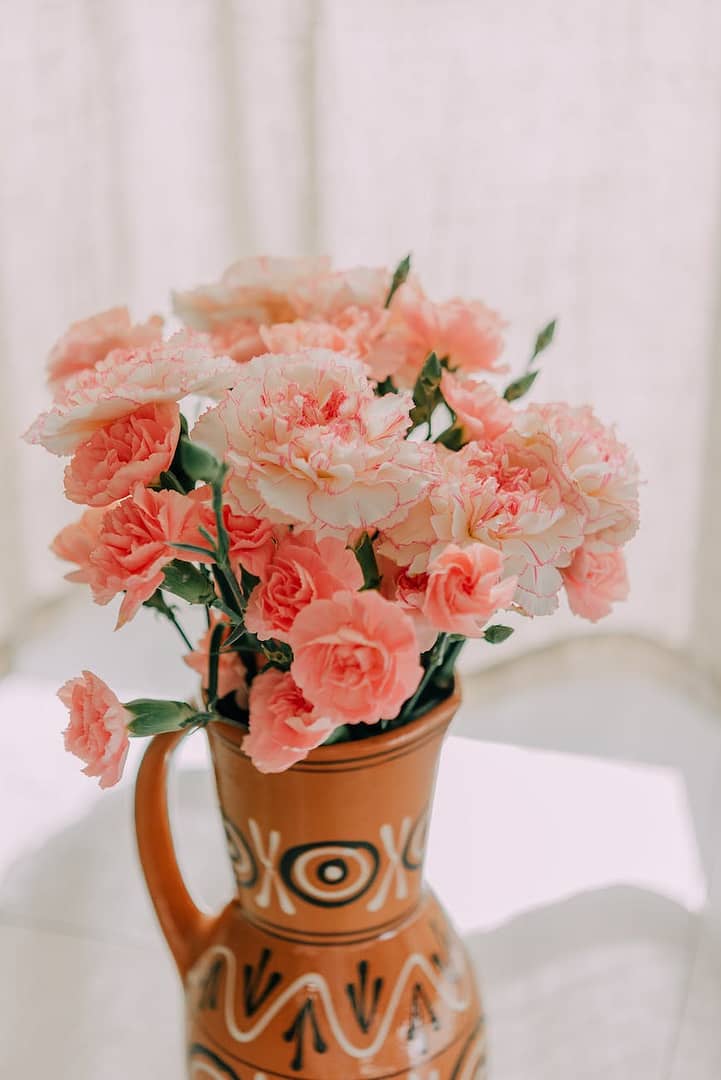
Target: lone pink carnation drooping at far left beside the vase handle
[{"x": 98, "y": 732}]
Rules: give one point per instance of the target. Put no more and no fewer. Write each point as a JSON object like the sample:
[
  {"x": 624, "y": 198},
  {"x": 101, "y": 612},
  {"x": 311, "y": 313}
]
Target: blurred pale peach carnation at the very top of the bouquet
[{"x": 254, "y": 291}]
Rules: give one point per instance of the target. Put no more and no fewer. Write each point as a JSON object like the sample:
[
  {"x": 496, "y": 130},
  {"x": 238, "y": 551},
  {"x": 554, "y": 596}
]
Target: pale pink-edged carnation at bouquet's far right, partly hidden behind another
[{"x": 603, "y": 468}]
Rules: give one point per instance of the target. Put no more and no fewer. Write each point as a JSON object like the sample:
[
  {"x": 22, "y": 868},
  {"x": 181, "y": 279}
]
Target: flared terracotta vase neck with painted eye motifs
[{"x": 334, "y": 848}]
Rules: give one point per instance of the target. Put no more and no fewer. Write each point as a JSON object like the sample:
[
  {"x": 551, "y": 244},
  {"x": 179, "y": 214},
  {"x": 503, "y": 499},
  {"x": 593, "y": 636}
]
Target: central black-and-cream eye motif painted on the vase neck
[{"x": 331, "y": 874}]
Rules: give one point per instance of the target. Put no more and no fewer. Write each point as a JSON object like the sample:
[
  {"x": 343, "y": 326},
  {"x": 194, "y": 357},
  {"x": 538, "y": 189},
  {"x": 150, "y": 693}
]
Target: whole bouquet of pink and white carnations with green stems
[{"x": 351, "y": 507}]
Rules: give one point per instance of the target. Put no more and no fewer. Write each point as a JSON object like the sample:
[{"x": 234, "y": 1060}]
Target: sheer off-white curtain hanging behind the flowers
[{"x": 556, "y": 160}]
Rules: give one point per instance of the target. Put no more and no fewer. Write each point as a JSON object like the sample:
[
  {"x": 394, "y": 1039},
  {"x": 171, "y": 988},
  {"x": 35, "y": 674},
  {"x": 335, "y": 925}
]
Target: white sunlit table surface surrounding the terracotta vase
[{"x": 592, "y": 908}]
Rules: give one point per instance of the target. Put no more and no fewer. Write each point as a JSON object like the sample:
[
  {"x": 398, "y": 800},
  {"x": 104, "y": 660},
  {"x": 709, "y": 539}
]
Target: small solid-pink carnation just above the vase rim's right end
[{"x": 465, "y": 589}]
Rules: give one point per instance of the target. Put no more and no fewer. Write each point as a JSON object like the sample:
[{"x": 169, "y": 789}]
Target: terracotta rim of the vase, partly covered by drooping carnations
[{"x": 376, "y": 747}]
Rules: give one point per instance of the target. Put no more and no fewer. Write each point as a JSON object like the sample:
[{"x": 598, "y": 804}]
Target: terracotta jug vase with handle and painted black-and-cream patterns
[{"x": 333, "y": 961}]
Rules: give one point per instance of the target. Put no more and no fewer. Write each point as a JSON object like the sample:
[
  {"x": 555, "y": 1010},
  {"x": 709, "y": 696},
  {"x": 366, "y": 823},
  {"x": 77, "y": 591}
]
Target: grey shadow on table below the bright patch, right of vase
[{"x": 593, "y": 987}]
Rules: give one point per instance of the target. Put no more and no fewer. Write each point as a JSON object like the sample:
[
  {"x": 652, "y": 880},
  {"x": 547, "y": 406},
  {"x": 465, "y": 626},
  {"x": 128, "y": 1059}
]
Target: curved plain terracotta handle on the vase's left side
[{"x": 187, "y": 929}]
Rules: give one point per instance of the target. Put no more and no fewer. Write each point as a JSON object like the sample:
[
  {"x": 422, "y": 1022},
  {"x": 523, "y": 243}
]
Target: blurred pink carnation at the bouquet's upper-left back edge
[{"x": 89, "y": 342}]
